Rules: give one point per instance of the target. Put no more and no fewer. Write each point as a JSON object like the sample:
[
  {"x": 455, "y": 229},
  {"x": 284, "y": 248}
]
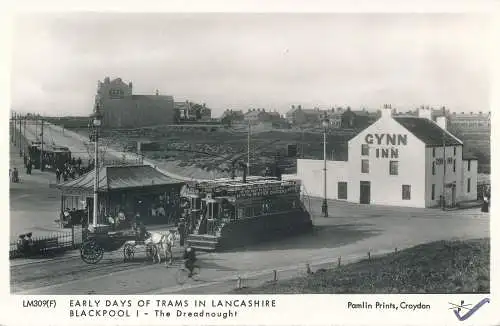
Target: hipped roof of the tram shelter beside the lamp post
[{"x": 120, "y": 177}]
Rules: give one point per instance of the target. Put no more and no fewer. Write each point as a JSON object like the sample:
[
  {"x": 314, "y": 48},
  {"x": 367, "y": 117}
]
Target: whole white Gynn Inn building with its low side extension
[{"x": 397, "y": 161}]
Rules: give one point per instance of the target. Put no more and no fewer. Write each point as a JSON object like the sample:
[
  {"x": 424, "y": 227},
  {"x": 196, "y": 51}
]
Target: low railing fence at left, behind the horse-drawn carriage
[{"x": 54, "y": 241}]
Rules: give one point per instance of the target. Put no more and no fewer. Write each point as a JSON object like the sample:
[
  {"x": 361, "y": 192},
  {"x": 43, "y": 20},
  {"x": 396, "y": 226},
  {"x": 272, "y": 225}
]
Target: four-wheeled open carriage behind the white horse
[{"x": 99, "y": 241}]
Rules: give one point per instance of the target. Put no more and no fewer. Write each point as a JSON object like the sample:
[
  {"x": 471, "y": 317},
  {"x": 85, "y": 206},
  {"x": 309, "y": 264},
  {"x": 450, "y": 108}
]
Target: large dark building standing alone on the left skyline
[{"x": 122, "y": 109}]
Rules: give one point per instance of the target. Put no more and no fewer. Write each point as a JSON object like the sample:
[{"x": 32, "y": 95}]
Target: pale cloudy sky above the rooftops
[{"x": 241, "y": 61}]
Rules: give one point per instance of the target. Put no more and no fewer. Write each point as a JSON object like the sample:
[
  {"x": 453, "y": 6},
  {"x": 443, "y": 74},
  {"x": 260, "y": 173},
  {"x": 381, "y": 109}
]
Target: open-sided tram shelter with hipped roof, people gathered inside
[{"x": 124, "y": 191}]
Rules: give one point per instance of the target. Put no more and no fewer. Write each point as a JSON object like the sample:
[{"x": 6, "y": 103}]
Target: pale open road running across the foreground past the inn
[{"x": 350, "y": 232}]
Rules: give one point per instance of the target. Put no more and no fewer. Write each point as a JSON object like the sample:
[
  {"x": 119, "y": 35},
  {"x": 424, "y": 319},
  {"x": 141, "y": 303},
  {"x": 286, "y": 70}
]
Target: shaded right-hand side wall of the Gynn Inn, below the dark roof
[{"x": 437, "y": 179}]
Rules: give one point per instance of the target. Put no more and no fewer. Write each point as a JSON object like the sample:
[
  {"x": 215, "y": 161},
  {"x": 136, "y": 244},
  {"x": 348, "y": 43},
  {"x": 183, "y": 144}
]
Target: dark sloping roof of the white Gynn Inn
[{"x": 428, "y": 131}]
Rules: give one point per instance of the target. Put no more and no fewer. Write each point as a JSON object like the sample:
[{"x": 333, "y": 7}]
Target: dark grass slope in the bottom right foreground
[{"x": 437, "y": 267}]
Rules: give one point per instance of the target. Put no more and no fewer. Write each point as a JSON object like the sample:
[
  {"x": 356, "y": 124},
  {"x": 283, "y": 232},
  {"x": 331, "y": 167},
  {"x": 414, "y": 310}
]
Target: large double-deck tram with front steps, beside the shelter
[{"x": 233, "y": 212}]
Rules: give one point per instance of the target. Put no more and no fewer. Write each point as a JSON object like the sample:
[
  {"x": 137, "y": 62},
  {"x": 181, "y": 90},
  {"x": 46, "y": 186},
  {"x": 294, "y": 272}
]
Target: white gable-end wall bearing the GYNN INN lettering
[{"x": 386, "y": 189}]
